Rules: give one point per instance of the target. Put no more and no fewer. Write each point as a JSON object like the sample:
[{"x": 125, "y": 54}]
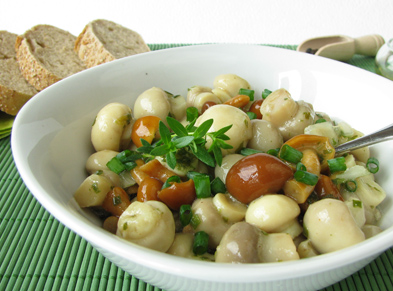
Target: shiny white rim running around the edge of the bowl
[{"x": 175, "y": 265}]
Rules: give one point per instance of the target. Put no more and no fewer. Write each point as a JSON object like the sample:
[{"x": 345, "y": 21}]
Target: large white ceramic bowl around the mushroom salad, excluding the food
[{"x": 51, "y": 142}]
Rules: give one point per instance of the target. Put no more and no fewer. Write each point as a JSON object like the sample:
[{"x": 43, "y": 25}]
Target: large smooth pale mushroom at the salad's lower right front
[{"x": 330, "y": 226}]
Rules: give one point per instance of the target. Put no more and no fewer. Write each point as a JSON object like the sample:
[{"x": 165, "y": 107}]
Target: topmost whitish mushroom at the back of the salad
[{"x": 227, "y": 86}]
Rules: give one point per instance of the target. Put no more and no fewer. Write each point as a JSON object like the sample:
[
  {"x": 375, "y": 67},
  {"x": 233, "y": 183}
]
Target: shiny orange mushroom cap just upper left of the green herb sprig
[{"x": 145, "y": 127}]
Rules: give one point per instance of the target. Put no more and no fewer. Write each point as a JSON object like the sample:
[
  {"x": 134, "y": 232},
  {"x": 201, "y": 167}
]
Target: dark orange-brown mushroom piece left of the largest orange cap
[{"x": 178, "y": 194}]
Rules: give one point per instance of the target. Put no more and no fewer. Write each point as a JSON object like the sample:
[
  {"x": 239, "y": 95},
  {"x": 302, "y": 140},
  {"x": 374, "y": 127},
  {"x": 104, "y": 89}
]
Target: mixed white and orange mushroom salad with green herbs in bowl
[{"x": 224, "y": 176}]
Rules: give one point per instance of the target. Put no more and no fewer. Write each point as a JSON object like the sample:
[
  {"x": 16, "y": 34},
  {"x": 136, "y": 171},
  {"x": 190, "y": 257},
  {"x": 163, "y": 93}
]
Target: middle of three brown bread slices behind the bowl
[{"x": 46, "y": 55}]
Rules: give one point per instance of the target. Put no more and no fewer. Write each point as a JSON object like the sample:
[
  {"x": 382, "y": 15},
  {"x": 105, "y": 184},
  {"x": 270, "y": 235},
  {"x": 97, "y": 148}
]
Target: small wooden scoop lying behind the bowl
[{"x": 342, "y": 48}]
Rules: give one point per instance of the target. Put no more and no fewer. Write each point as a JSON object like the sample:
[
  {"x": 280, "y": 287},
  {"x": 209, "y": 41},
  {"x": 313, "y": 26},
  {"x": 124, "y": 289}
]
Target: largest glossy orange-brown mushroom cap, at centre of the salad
[{"x": 256, "y": 175}]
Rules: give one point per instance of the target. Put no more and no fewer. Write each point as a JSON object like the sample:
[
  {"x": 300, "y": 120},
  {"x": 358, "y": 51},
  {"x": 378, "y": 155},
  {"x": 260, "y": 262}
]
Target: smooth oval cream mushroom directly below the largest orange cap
[{"x": 272, "y": 213}]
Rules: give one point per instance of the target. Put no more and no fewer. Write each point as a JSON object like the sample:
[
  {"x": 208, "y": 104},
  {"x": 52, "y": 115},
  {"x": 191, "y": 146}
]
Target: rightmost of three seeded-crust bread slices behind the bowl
[{"x": 103, "y": 41}]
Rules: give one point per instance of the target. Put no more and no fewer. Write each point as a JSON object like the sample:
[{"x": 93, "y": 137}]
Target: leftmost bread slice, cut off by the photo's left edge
[{"x": 15, "y": 91}]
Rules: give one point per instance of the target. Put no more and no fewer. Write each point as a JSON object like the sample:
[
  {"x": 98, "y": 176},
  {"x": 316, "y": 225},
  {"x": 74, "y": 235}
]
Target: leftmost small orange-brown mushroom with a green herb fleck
[{"x": 116, "y": 201}]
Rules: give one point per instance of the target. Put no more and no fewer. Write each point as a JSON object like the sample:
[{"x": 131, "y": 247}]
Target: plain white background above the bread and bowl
[{"x": 210, "y": 21}]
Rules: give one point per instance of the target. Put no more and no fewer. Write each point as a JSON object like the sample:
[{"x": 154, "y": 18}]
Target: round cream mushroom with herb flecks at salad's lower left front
[{"x": 149, "y": 224}]
